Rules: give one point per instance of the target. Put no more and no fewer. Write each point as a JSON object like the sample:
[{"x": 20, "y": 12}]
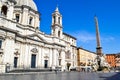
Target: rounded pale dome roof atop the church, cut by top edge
[{"x": 29, "y": 3}]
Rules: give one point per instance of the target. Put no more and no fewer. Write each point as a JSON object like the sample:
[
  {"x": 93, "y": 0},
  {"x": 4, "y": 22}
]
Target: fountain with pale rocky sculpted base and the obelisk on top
[{"x": 100, "y": 60}]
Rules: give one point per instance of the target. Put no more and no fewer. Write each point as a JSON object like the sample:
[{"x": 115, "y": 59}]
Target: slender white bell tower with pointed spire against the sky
[{"x": 57, "y": 24}]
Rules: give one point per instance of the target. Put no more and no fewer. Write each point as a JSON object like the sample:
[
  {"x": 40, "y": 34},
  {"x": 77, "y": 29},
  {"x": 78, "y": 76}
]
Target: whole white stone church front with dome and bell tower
[{"x": 24, "y": 46}]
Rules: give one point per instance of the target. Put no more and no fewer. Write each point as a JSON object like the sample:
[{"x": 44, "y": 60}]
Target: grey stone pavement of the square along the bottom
[{"x": 62, "y": 76}]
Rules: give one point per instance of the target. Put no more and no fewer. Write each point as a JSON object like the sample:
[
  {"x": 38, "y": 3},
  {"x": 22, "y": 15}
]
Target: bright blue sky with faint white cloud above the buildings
[{"x": 78, "y": 21}]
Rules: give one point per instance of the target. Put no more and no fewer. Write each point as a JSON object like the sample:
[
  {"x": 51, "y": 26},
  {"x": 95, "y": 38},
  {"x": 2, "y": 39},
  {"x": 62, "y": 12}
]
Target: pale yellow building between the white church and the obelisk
[{"x": 85, "y": 58}]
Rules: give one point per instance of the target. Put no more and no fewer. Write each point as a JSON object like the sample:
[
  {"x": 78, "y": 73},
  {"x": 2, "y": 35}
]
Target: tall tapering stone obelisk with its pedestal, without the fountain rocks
[{"x": 98, "y": 48}]
